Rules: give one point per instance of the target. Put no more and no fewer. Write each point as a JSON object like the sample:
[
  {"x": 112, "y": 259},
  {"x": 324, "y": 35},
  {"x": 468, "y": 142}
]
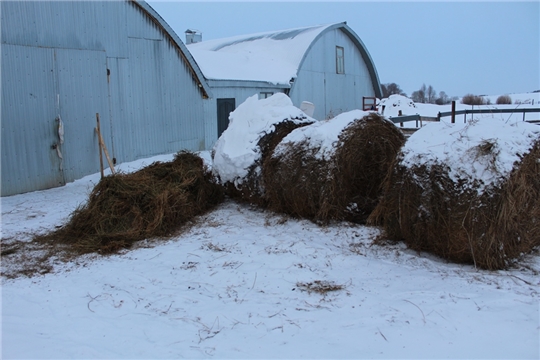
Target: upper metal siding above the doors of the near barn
[{"x": 100, "y": 25}]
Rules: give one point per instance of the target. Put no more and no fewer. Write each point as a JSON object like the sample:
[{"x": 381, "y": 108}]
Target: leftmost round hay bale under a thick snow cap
[{"x": 255, "y": 128}]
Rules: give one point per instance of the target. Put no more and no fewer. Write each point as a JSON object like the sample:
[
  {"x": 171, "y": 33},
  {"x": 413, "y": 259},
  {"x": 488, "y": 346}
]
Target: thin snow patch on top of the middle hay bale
[{"x": 322, "y": 135}]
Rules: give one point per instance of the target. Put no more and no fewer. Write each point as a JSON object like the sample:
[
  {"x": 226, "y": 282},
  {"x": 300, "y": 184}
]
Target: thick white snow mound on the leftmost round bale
[{"x": 237, "y": 150}]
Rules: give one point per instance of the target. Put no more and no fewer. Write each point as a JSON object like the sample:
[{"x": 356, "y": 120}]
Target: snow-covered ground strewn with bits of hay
[{"x": 240, "y": 284}]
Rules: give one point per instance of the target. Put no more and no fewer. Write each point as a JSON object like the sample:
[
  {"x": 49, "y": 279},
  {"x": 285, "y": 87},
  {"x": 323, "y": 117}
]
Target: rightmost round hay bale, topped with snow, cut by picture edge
[{"x": 469, "y": 193}]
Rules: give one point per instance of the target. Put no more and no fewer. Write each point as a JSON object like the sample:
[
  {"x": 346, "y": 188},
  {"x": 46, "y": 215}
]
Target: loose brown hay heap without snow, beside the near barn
[{"x": 152, "y": 202}]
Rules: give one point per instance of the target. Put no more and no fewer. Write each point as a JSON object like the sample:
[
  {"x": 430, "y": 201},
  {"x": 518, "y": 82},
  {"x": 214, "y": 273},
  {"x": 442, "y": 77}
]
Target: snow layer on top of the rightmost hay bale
[{"x": 480, "y": 153}]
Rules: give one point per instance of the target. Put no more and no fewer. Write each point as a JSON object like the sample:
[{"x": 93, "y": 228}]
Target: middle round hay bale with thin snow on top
[{"x": 333, "y": 169}]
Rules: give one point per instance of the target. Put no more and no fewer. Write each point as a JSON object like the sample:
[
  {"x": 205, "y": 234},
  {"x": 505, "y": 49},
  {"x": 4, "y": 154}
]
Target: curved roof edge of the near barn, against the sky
[{"x": 198, "y": 77}]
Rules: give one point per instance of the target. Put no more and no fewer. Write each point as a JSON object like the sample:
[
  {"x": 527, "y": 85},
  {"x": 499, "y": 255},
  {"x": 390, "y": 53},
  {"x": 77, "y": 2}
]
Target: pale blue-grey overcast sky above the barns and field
[{"x": 483, "y": 48}]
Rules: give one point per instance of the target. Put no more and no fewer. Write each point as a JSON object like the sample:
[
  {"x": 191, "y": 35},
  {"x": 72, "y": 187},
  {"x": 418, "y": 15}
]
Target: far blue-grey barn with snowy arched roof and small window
[{"x": 327, "y": 65}]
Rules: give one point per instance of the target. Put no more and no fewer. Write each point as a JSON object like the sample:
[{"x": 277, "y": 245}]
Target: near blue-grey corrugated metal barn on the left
[{"x": 64, "y": 61}]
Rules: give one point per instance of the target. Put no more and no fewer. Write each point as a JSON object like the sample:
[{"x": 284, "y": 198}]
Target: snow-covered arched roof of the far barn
[{"x": 273, "y": 57}]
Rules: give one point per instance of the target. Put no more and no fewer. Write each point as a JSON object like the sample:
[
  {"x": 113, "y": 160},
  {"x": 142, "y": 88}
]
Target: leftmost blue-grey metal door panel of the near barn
[{"x": 30, "y": 138}]
